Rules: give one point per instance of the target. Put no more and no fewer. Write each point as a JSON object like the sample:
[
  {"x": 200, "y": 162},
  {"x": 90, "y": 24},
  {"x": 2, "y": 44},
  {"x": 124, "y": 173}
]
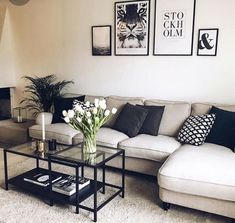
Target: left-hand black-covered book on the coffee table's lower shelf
[{"x": 41, "y": 178}]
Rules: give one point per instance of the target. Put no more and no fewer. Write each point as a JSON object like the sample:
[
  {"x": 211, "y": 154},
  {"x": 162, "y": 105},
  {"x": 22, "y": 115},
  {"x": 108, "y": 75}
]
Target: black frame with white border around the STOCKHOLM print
[{"x": 155, "y": 53}]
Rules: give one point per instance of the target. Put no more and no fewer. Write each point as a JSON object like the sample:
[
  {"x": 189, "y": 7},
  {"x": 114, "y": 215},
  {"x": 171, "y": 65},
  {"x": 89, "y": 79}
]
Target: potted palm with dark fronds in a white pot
[{"x": 42, "y": 92}]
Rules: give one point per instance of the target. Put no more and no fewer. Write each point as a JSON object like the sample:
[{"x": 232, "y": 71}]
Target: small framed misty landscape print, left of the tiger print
[{"x": 101, "y": 40}]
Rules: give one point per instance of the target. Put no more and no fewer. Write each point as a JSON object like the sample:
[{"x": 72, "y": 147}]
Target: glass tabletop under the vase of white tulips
[{"x": 76, "y": 155}]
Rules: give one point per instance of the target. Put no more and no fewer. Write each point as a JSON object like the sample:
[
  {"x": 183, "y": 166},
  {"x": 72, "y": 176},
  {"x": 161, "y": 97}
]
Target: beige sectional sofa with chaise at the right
[{"x": 197, "y": 177}]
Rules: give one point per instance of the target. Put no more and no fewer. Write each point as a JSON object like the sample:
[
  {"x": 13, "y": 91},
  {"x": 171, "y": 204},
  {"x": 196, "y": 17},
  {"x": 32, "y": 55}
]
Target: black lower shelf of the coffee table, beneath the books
[{"x": 43, "y": 192}]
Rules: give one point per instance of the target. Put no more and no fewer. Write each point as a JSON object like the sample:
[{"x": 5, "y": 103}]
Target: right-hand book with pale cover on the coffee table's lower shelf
[{"x": 67, "y": 185}]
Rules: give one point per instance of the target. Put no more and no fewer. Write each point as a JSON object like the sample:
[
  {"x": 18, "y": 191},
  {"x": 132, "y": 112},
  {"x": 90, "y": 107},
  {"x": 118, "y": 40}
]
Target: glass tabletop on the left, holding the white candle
[{"x": 29, "y": 149}]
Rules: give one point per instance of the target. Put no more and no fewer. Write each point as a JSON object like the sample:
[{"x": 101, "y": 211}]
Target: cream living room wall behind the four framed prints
[{"x": 54, "y": 36}]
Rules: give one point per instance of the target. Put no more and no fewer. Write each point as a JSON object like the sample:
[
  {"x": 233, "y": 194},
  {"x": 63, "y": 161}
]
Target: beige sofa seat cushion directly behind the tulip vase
[{"x": 106, "y": 137}]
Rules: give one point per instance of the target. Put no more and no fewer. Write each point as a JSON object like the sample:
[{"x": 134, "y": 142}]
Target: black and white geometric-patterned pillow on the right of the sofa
[{"x": 196, "y": 129}]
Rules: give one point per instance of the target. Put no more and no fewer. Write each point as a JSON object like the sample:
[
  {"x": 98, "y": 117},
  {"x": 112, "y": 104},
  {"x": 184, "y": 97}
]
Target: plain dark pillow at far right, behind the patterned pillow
[{"x": 222, "y": 132}]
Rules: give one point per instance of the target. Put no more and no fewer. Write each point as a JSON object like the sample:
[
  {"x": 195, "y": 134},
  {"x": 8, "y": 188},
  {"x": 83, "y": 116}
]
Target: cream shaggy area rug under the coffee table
[{"x": 141, "y": 204}]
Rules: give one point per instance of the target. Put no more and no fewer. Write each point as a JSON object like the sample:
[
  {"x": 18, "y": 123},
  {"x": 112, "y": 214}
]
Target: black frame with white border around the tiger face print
[{"x": 132, "y": 51}]
